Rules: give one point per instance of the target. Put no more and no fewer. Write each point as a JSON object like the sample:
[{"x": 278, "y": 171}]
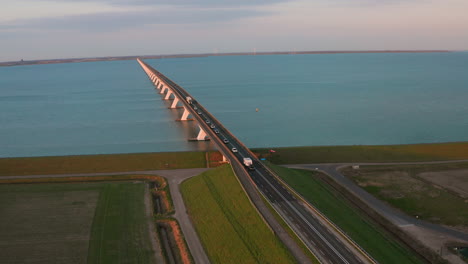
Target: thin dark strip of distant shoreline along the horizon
[{"x": 114, "y": 58}]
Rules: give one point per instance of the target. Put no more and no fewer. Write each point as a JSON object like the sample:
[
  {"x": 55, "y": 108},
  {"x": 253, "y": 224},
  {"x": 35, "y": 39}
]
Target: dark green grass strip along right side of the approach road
[{"x": 361, "y": 229}]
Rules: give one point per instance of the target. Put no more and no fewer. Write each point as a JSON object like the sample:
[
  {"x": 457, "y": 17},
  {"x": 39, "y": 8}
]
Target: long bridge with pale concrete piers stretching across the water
[{"x": 325, "y": 240}]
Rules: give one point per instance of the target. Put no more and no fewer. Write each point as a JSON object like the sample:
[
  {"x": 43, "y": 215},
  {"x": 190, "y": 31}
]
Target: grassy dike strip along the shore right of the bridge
[{"x": 388, "y": 153}]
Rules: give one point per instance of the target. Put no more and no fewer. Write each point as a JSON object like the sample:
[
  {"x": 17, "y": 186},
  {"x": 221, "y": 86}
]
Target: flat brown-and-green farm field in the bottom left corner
[{"x": 74, "y": 223}]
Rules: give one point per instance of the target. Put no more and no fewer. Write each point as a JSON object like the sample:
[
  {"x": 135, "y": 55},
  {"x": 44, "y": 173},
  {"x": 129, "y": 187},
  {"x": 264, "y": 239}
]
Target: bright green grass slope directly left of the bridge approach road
[{"x": 229, "y": 227}]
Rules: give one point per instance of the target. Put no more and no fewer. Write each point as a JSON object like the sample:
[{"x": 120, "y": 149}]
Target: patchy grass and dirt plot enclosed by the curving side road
[{"x": 404, "y": 187}]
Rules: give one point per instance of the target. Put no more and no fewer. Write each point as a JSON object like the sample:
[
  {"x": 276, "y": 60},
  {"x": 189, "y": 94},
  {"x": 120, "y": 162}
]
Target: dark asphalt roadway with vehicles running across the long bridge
[{"x": 326, "y": 245}]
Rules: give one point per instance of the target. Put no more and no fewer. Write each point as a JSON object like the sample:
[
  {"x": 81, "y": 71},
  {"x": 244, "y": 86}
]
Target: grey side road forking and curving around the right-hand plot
[{"x": 396, "y": 217}]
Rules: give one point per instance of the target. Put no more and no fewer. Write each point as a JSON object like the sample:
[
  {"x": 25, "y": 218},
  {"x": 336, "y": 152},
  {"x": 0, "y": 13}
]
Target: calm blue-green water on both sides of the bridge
[{"x": 329, "y": 99}]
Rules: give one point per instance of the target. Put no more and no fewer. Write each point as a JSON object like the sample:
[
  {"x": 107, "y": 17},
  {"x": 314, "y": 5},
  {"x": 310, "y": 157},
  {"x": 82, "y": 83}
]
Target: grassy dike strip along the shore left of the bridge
[{"x": 101, "y": 163}]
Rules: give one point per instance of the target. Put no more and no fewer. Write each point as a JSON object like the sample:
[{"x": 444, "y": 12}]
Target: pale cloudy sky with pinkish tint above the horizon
[{"x": 37, "y": 29}]
